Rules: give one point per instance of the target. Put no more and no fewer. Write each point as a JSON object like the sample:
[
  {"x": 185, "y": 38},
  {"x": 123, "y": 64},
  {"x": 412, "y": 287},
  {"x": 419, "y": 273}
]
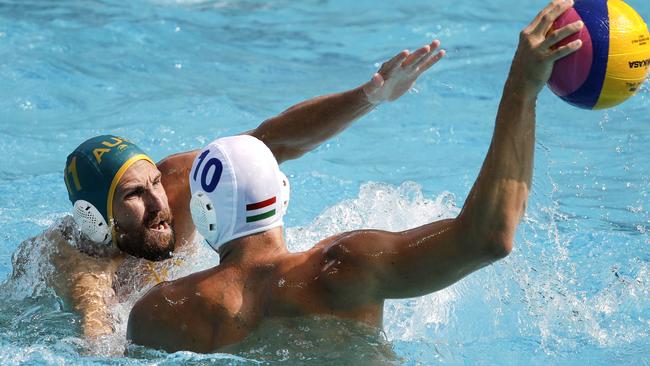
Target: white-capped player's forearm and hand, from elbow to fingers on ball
[{"x": 498, "y": 199}]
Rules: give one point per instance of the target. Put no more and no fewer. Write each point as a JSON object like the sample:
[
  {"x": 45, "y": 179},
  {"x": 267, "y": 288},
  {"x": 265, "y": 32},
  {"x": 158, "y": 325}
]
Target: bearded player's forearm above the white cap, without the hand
[{"x": 306, "y": 125}]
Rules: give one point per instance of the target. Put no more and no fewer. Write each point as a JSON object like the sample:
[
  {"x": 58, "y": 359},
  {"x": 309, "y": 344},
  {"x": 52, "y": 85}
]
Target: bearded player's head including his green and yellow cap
[{"x": 117, "y": 194}]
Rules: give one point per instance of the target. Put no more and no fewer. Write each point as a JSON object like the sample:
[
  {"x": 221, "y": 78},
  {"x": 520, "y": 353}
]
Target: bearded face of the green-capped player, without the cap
[{"x": 143, "y": 220}]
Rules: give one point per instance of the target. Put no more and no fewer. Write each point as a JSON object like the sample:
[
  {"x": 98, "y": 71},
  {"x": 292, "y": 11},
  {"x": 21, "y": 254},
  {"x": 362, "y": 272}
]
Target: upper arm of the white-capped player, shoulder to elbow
[{"x": 411, "y": 263}]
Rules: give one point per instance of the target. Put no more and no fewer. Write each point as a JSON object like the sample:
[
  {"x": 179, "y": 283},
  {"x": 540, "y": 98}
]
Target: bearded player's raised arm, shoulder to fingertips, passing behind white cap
[{"x": 304, "y": 126}]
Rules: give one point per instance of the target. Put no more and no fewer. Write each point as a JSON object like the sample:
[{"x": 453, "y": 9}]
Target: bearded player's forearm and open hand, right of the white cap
[{"x": 306, "y": 125}]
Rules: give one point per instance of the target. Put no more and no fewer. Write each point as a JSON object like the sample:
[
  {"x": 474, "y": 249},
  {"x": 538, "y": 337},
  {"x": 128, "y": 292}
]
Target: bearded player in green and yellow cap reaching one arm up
[{"x": 129, "y": 206}]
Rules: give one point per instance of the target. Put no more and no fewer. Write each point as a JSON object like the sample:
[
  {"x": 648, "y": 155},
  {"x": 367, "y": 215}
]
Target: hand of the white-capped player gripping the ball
[{"x": 538, "y": 51}]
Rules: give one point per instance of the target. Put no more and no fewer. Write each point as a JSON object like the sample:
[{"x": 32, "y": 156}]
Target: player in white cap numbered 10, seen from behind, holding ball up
[{"x": 237, "y": 204}]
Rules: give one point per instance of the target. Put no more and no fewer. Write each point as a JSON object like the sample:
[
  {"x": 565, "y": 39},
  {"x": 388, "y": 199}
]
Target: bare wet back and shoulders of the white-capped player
[{"x": 223, "y": 305}]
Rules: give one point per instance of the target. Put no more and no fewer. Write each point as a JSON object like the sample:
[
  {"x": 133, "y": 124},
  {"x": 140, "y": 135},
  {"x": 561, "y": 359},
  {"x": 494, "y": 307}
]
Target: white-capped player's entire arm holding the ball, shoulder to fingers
[{"x": 428, "y": 258}]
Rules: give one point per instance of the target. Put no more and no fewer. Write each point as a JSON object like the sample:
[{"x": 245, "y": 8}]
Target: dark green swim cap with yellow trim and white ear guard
[{"x": 91, "y": 174}]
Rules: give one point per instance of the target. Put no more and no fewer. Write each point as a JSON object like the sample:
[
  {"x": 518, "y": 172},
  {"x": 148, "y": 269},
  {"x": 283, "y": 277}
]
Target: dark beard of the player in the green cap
[{"x": 146, "y": 243}]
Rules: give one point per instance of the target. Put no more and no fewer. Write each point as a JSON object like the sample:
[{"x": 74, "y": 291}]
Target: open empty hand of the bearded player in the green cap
[{"x": 397, "y": 75}]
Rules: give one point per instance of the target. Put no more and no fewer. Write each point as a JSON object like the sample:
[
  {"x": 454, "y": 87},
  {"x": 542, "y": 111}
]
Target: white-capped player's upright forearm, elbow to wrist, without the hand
[{"x": 498, "y": 198}]
